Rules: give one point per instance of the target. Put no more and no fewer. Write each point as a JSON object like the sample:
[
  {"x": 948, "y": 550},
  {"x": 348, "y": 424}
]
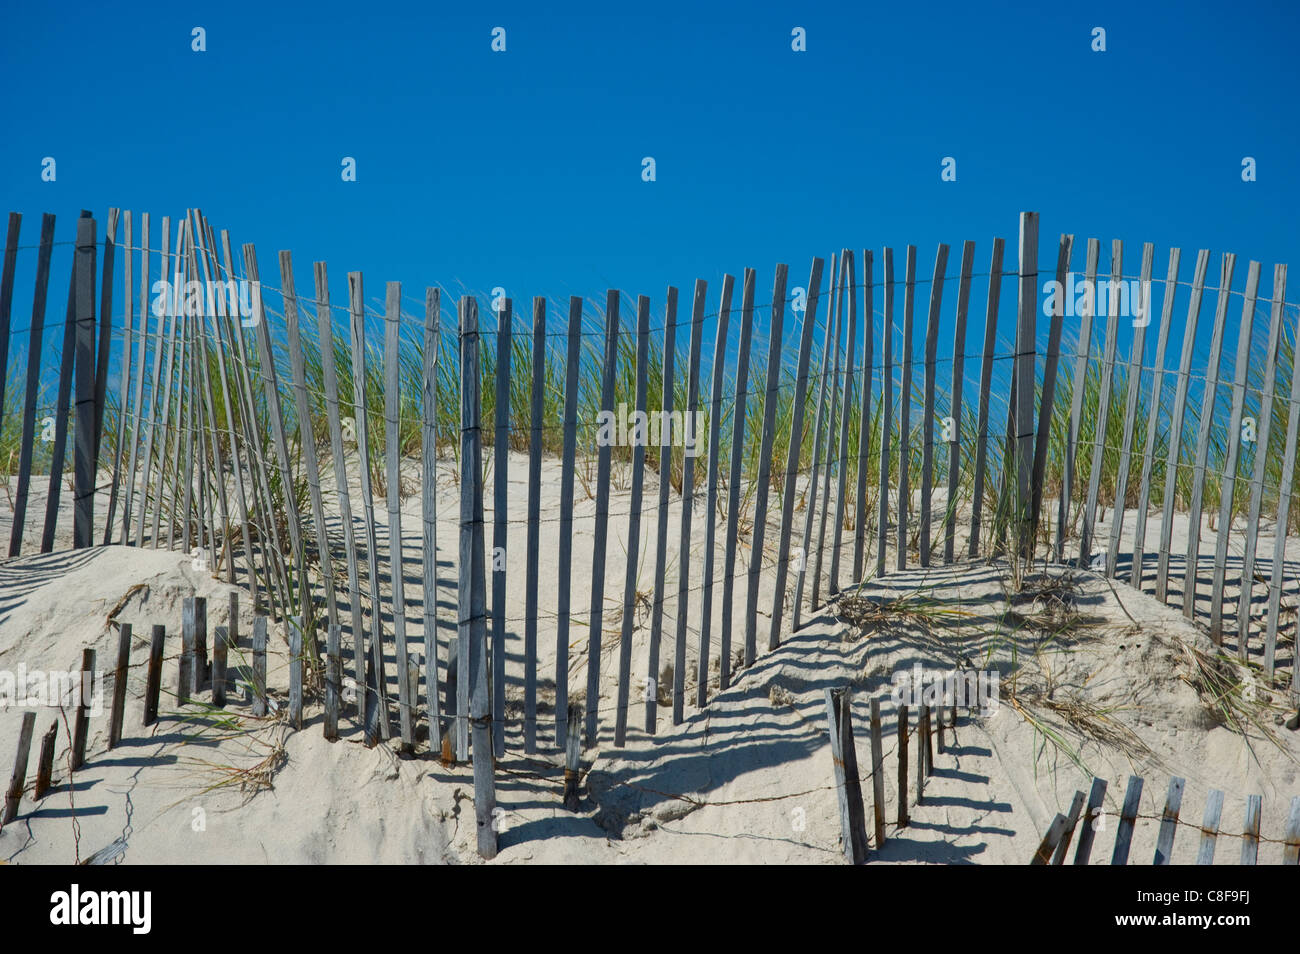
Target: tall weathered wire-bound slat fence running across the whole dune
[{"x": 190, "y": 469}]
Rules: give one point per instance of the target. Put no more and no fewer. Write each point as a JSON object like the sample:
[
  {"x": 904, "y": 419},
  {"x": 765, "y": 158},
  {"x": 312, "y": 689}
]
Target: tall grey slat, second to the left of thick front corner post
[{"x": 393, "y": 480}]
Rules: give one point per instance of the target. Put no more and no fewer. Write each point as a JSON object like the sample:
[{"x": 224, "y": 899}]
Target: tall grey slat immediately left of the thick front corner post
[{"x": 430, "y": 511}]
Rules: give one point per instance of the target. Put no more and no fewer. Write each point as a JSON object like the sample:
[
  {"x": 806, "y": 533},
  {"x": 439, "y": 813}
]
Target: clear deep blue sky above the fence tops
[{"x": 523, "y": 170}]
